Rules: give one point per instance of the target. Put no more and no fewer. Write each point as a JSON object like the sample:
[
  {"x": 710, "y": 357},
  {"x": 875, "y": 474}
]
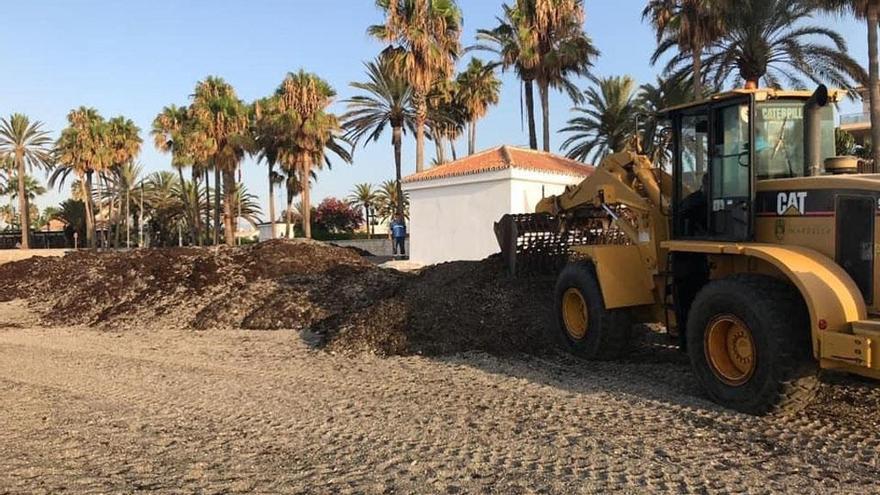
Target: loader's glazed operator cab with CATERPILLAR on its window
[{"x": 723, "y": 145}]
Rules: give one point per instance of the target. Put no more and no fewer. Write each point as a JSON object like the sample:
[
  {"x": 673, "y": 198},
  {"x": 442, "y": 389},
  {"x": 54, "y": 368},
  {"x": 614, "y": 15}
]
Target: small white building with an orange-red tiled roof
[{"x": 453, "y": 207}]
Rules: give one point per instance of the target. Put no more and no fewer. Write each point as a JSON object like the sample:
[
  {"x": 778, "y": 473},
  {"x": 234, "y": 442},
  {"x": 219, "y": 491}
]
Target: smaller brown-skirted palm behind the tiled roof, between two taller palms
[{"x": 479, "y": 89}]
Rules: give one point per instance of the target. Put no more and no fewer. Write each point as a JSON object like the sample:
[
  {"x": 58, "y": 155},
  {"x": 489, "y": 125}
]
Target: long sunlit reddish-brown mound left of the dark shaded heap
[{"x": 201, "y": 288}]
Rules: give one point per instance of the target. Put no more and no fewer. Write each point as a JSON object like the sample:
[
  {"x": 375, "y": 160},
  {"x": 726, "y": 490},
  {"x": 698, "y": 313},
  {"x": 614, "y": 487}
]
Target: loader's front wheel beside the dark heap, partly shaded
[{"x": 592, "y": 332}]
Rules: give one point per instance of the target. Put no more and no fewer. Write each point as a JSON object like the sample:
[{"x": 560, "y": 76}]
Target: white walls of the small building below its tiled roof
[{"x": 453, "y": 219}]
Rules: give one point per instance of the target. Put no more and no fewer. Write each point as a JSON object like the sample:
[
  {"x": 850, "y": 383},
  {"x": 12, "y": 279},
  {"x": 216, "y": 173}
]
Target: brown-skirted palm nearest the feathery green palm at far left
[{"x": 82, "y": 150}]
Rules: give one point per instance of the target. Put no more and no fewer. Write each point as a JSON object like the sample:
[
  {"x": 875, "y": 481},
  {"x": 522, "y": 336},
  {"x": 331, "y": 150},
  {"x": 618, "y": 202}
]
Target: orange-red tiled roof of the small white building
[{"x": 504, "y": 157}]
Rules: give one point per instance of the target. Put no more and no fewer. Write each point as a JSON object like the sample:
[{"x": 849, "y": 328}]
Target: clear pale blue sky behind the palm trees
[{"x": 133, "y": 57}]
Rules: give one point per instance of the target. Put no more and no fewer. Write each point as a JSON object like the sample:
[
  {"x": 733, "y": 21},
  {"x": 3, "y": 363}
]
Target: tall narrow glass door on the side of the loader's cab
[{"x": 730, "y": 172}]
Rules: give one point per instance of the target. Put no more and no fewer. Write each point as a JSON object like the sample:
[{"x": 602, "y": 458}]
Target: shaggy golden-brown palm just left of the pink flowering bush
[{"x": 311, "y": 130}]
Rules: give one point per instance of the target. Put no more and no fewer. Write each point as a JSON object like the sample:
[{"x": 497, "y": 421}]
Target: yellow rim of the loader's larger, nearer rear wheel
[{"x": 730, "y": 350}]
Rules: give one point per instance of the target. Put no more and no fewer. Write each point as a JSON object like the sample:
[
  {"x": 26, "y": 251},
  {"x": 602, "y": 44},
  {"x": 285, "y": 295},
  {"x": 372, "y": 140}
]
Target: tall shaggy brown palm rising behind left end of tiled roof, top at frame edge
[{"x": 423, "y": 40}]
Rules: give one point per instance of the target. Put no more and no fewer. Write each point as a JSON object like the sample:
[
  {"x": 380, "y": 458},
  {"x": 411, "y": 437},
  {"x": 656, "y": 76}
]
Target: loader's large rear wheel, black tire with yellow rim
[{"x": 772, "y": 370}]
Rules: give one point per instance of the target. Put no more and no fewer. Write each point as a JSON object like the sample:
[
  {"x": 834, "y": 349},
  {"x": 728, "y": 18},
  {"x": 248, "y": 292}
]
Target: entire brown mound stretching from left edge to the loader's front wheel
[{"x": 331, "y": 292}]
